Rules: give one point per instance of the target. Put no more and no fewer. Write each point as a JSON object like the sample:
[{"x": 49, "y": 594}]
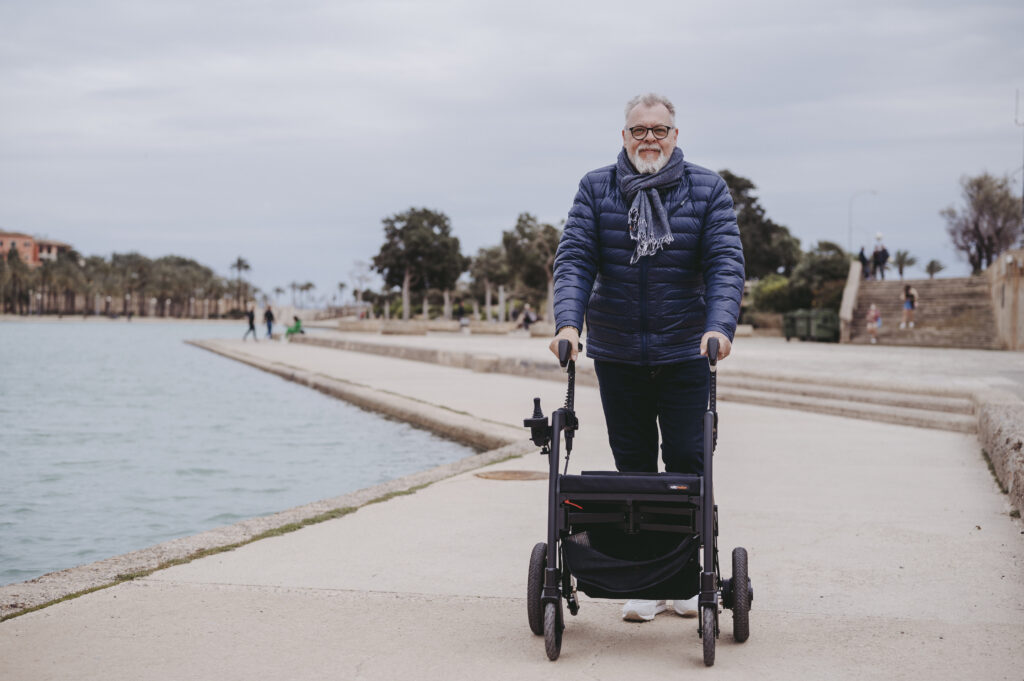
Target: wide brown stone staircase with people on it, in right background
[{"x": 952, "y": 313}]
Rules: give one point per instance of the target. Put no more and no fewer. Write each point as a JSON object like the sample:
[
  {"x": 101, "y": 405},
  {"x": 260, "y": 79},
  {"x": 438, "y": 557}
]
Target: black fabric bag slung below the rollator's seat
[{"x": 674, "y": 575}]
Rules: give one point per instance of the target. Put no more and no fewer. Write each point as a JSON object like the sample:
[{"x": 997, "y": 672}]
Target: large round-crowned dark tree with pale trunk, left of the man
[{"x": 419, "y": 253}]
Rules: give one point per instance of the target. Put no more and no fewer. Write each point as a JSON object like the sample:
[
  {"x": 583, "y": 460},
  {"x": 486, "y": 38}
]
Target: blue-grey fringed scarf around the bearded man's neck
[{"x": 648, "y": 220}]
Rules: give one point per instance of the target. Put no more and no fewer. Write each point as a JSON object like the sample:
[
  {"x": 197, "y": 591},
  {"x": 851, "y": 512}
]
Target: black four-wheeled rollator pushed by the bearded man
[{"x": 603, "y": 527}]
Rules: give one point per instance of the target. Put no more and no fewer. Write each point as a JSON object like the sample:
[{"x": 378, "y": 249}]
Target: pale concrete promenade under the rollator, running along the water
[{"x": 878, "y": 551}]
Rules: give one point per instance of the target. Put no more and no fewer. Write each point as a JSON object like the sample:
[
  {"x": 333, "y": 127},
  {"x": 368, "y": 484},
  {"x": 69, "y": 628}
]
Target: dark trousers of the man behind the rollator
[{"x": 639, "y": 400}]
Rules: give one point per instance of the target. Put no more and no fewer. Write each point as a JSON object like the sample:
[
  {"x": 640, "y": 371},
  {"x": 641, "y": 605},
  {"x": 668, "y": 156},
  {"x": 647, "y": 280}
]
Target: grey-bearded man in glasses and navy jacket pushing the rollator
[{"x": 651, "y": 256}]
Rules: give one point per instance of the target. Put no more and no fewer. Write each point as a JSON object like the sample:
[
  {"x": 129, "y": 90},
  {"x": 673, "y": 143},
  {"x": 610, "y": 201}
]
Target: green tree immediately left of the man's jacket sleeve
[{"x": 530, "y": 248}]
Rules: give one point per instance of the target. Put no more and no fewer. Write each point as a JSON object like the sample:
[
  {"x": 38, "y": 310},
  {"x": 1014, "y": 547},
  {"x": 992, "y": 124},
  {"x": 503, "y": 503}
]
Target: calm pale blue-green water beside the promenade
[{"x": 117, "y": 436}]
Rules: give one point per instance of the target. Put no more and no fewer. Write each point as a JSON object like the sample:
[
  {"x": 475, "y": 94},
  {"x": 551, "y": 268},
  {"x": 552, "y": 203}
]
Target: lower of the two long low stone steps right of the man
[{"x": 883, "y": 413}]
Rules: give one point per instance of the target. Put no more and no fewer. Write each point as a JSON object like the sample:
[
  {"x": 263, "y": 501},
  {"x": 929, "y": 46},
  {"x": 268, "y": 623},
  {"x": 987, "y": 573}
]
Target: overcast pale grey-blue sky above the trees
[{"x": 283, "y": 132}]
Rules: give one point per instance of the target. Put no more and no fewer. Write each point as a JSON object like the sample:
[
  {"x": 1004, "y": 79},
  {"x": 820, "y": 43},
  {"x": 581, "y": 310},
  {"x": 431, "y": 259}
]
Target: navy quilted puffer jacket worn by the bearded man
[{"x": 656, "y": 312}]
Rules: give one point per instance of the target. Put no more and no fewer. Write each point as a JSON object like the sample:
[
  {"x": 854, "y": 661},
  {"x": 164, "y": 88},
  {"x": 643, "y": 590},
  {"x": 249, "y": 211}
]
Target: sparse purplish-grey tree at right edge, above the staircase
[{"x": 988, "y": 224}]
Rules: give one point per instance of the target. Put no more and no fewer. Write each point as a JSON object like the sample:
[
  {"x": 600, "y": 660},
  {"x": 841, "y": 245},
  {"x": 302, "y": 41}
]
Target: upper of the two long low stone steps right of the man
[{"x": 867, "y": 396}]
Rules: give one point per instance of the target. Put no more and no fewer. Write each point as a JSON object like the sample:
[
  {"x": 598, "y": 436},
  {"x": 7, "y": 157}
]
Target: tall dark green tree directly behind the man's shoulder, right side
[{"x": 769, "y": 247}]
